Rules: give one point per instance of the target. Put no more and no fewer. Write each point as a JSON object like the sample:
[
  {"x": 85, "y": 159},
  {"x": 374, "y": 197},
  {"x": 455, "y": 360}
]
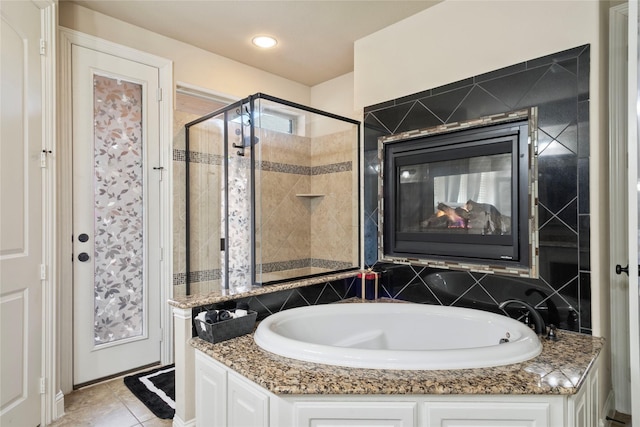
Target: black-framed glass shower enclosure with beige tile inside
[{"x": 272, "y": 192}]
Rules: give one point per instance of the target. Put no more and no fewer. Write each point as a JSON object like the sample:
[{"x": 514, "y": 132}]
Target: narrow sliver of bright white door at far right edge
[{"x": 634, "y": 205}]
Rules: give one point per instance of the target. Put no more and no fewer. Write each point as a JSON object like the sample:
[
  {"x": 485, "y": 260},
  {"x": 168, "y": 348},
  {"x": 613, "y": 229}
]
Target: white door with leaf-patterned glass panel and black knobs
[{"x": 116, "y": 229}]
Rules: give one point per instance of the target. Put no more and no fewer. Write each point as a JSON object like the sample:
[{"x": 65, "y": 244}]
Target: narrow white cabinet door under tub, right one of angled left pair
[{"x": 247, "y": 404}]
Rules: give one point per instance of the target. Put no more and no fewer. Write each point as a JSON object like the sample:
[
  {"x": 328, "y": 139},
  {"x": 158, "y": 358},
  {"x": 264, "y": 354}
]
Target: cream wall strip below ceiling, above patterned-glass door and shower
[{"x": 192, "y": 65}]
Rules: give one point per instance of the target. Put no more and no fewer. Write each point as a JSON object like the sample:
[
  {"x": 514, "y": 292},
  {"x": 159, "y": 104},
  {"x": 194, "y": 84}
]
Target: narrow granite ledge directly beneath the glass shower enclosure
[{"x": 193, "y": 301}]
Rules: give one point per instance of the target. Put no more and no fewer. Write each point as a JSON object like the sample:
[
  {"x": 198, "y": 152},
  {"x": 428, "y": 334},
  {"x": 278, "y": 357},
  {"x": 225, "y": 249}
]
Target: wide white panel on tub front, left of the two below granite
[{"x": 356, "y": 414}]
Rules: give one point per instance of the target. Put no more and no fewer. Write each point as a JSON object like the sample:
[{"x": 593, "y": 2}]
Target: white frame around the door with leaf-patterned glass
[{"x": 67, "y": 39}]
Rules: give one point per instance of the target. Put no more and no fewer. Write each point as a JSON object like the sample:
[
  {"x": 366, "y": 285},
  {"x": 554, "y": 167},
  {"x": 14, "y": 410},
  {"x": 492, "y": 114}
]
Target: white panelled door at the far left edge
[{"x": 21, "y": 216}]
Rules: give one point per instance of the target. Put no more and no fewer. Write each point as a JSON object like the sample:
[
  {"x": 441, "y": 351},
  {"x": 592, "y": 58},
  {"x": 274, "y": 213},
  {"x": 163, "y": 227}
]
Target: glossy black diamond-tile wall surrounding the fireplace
[{"x": 558, "y": 85}]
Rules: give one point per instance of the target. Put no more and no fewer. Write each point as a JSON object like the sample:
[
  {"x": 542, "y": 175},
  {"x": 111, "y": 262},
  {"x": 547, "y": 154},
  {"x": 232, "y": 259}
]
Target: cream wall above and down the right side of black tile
[{"x": 459, "y": 39}]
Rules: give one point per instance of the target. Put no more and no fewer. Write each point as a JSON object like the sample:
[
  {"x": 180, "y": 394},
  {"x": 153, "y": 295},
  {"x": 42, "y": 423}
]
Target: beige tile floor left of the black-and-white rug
[{"x": 107, "y": 404}]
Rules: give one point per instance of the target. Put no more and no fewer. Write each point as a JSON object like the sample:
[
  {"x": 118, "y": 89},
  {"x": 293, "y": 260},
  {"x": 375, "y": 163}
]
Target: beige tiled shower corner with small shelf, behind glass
[{"x": 308, "y": 202}]
